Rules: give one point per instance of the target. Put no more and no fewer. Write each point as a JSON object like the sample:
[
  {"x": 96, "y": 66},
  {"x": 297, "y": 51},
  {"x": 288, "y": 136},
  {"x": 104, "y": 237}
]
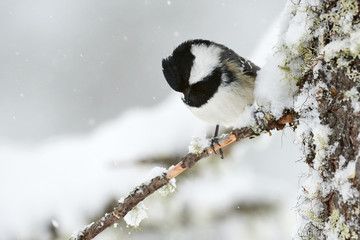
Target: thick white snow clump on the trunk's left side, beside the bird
[{"x": 276, "y": 82}]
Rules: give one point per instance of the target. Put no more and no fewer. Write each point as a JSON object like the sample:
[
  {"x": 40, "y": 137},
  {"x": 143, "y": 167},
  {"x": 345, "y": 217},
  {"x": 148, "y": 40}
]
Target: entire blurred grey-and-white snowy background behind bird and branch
[{"x": 85, "y": 114}]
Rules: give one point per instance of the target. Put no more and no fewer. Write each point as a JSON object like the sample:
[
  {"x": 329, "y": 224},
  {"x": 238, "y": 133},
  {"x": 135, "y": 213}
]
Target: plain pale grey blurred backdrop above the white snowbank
[{"x": 67, "y": 67}]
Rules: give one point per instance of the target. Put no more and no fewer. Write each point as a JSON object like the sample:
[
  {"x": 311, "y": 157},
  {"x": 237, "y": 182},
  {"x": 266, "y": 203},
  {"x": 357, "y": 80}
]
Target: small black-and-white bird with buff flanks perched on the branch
[{"x": 215, "y": 82}]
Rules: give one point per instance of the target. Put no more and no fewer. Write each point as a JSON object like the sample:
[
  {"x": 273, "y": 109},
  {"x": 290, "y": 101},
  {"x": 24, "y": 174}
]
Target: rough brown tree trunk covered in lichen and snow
[{"x": 329, "y": 122}]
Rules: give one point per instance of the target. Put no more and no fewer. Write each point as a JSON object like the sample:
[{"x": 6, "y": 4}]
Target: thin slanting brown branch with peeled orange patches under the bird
[{"x": 141, "y": 192}]
